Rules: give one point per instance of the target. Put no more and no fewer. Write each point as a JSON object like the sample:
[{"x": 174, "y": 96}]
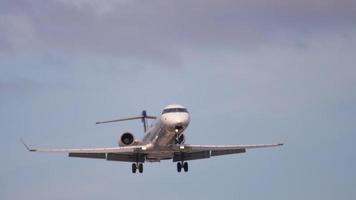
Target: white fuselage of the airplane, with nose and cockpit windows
[{"x": 164, "y": 131}]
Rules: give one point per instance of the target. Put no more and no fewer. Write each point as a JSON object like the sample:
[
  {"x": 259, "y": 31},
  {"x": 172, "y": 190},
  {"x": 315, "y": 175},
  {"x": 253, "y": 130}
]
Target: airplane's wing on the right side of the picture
[{"x": 193, "y": 152}]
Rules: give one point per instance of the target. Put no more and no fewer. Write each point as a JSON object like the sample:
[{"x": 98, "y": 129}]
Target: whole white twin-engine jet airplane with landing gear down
[{"x": 164, "y": 139}]
